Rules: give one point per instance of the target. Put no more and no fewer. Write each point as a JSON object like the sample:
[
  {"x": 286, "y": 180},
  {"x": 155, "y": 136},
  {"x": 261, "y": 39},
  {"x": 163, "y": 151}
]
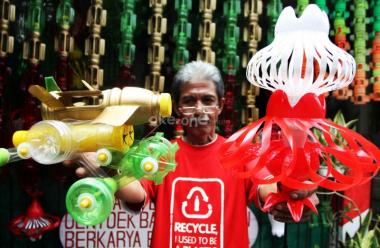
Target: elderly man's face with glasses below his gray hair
[{"x": 199, "y": 108}]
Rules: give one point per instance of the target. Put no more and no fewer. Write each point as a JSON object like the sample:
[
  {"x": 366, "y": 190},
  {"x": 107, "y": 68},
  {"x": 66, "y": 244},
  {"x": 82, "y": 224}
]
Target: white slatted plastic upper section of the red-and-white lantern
[{"x": 301, "y": 59}]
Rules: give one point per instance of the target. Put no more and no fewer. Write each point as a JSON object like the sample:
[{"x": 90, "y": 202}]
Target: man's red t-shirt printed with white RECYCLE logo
[{"x": 200, "y": 204}]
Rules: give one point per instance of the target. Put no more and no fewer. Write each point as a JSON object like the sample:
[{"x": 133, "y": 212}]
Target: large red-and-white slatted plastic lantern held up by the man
[{"x": 299, "y": 66}]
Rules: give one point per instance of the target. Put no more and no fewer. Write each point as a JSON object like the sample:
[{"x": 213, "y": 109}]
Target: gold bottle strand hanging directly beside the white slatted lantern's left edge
[{"x": 252, "y": 34}]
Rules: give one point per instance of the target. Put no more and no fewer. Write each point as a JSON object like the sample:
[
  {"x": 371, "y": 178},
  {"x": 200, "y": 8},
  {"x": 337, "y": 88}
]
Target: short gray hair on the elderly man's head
[{"x": 197, "y": 70}]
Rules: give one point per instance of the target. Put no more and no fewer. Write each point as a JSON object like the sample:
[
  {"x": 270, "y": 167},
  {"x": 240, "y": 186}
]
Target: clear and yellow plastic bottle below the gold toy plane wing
[{"x": 50, "y": 142}]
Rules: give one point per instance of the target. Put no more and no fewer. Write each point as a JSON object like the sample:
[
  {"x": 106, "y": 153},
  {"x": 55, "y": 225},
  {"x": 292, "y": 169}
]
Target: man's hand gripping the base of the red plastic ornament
[{"x": 280, "y": 211}]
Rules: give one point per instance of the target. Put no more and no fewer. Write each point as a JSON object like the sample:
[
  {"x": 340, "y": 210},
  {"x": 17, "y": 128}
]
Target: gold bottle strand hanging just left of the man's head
[{"x": 156, "y": 52}]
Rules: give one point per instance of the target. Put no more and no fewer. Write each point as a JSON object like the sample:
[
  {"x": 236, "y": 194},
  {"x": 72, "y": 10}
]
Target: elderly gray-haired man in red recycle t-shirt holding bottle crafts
[{"x": 200, "y": 204}]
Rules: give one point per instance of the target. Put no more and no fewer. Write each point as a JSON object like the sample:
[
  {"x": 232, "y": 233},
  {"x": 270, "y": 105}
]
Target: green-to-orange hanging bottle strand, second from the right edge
[{"x": 360, "y": 53}]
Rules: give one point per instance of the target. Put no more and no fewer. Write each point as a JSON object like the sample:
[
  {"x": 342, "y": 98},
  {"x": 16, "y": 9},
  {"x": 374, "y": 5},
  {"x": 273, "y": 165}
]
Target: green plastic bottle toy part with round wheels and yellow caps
[{"x": 90, "y": 200}]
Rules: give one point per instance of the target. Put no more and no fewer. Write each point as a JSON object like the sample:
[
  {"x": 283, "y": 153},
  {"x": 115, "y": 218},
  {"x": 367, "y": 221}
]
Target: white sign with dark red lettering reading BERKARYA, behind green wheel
[{"x": 123, "y": 228}]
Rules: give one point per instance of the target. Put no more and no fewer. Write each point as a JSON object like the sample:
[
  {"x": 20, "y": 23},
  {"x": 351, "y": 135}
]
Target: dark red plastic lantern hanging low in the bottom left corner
[{"x": 34, "y": 223}]
